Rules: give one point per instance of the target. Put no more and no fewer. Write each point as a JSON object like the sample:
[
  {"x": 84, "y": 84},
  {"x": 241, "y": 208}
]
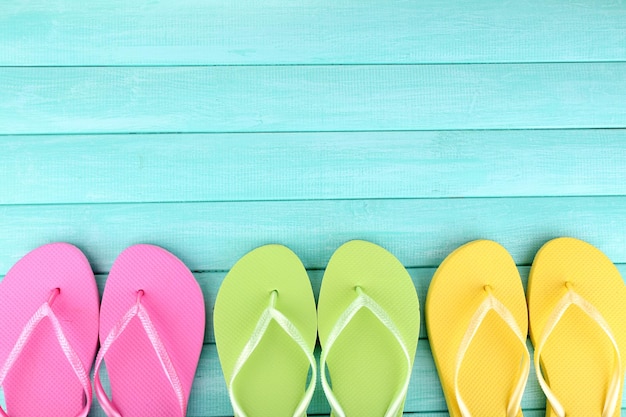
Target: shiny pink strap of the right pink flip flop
[{"x": 138, "y": 310}]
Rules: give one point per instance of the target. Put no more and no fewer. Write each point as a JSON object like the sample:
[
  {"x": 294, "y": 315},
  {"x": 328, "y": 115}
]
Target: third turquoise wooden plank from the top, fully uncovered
[{"x": 289, "y": 166}]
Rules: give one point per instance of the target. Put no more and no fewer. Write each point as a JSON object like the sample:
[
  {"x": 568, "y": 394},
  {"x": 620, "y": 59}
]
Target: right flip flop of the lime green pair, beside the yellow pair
[{"x": 368, "y": 319}]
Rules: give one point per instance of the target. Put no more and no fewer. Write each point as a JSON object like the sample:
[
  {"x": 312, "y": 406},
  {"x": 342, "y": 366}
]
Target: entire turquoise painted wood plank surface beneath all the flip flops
[{"x": 213, "y": 127}]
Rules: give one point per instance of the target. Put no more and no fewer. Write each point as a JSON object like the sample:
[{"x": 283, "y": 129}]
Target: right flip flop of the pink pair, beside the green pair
[{"x": 151, "y": 334}]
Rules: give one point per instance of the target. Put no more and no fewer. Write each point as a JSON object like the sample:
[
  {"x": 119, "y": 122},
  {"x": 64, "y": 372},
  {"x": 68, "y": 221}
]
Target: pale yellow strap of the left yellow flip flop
[{"x": 491, "y": 303}]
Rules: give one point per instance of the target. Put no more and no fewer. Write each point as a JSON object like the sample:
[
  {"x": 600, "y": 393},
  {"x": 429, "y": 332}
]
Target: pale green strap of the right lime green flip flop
[{"x": 364, "y": 301}]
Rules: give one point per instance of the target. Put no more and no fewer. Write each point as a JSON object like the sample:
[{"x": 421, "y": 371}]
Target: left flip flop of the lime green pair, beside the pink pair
[{"x": 265, "y": 332}]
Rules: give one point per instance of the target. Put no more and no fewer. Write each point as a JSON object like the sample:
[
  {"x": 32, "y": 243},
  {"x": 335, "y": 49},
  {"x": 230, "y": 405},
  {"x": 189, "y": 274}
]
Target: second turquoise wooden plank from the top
[{"x": 311, "y": 98}]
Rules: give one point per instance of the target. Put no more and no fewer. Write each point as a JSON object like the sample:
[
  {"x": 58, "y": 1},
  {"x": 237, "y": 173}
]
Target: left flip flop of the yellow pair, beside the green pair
[{"x": 477, "y": 324}]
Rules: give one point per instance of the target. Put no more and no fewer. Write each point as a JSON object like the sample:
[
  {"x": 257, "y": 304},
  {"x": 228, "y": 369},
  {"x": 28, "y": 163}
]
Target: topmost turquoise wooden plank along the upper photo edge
[{"x": 195, "y": 32}]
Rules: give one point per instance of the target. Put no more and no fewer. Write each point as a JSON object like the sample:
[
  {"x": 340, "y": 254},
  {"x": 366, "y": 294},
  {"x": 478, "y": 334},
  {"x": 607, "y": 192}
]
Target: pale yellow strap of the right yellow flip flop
[{"x": 615, "y": 387}]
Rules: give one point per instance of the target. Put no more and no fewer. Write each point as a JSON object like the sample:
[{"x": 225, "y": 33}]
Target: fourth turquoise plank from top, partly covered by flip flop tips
[{"x": 213, "y": 236}]
